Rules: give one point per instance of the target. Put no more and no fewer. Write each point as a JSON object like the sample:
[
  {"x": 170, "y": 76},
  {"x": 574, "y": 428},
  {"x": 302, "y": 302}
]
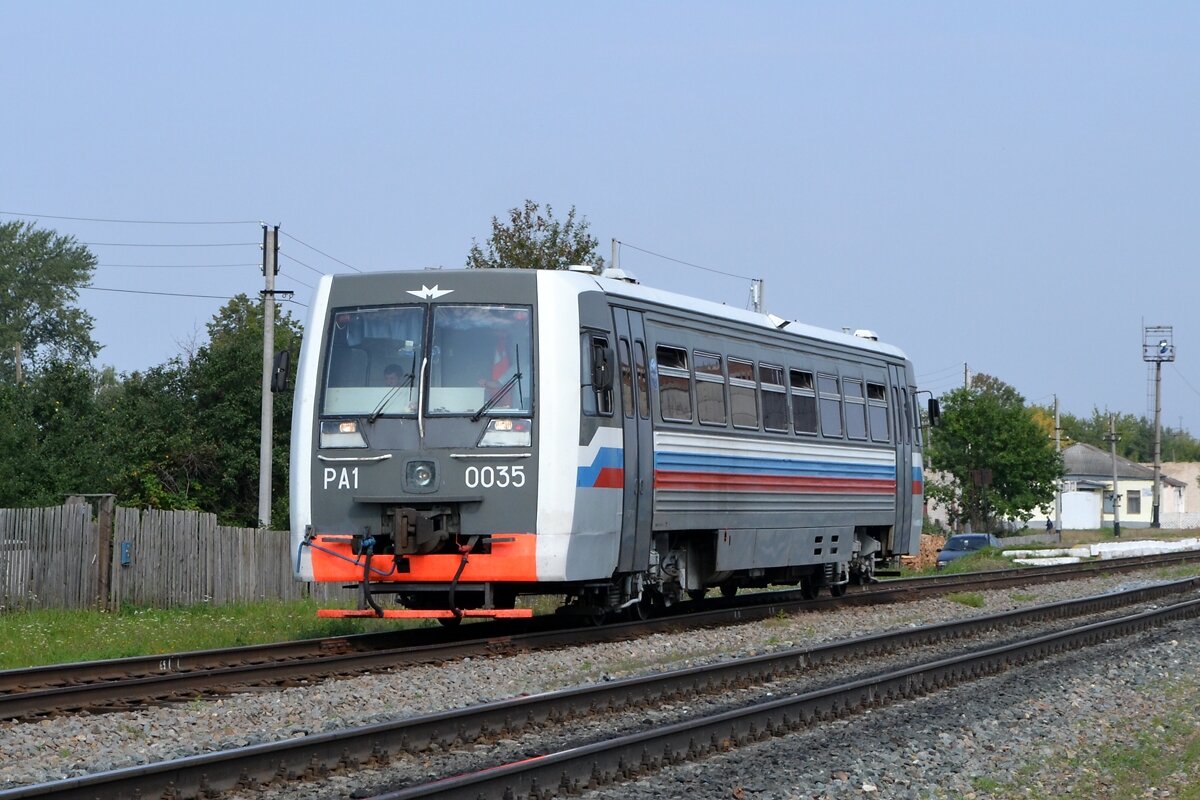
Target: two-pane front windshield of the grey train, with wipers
[{"x": 479, "y": 360}]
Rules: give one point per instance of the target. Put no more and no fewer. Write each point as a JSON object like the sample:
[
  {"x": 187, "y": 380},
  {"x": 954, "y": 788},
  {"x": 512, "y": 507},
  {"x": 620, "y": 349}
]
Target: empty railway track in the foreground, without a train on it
[{"x": 627, "y": 756}]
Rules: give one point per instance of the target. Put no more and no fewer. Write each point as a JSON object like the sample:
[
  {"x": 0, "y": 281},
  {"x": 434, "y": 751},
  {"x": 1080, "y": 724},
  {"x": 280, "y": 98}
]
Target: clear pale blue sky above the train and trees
[{"x": 1010, "y": 189}]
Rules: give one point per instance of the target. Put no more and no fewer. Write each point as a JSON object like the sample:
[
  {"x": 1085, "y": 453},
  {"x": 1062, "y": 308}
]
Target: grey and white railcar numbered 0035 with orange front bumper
[{"x": 464, "y": 438}]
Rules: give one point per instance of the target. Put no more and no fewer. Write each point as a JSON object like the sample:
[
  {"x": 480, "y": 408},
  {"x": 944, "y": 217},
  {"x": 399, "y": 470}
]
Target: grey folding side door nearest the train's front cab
[{"x": 639, "y": 441}]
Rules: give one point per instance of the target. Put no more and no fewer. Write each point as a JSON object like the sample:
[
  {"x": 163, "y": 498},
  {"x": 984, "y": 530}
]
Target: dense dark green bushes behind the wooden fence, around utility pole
[{"x": 178, "y": 436}]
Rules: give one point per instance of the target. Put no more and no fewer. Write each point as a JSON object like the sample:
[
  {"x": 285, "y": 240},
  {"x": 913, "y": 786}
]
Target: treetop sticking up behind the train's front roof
[{"x": 533, "y": 240}]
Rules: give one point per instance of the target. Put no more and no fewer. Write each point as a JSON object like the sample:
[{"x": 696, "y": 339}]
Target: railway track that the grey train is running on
[{"x": 129, "y": 683}]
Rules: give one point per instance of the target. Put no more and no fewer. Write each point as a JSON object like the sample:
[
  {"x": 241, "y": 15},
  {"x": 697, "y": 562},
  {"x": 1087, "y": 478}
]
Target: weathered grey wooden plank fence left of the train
[{"x": 65, "y": 558}]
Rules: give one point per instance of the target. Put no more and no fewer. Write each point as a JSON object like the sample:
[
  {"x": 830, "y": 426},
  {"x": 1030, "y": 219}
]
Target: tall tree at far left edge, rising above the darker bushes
[{"x": 41, "y": 274}]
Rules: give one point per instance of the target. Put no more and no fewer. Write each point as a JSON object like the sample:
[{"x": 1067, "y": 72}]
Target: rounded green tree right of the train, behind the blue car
[{"x": 1001, "y": 462}]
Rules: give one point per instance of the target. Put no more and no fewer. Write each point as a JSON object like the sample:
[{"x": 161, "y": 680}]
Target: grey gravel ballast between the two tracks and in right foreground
[{"x": 969, "y": 742}]
